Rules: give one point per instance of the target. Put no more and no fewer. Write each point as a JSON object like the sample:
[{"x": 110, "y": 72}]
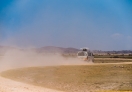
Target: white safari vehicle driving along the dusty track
[{"x": 86, "y": 55}]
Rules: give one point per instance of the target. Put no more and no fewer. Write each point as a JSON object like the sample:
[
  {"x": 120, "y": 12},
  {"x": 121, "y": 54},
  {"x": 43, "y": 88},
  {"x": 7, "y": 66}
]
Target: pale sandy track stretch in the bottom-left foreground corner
[{"x": 7, "y": 85}]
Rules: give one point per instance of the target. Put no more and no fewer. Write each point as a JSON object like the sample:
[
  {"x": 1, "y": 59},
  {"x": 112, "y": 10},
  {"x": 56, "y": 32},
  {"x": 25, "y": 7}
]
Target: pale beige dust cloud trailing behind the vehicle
[{"x": 16, "y": 58}]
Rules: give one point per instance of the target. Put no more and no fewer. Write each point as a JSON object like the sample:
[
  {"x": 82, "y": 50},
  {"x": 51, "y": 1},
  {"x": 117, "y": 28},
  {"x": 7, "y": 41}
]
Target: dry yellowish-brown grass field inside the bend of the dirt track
[{"x": 80, "y": 78}]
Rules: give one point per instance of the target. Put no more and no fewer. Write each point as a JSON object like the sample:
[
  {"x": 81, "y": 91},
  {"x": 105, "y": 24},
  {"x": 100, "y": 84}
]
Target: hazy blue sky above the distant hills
[{"x": 96, "y": 24}]
